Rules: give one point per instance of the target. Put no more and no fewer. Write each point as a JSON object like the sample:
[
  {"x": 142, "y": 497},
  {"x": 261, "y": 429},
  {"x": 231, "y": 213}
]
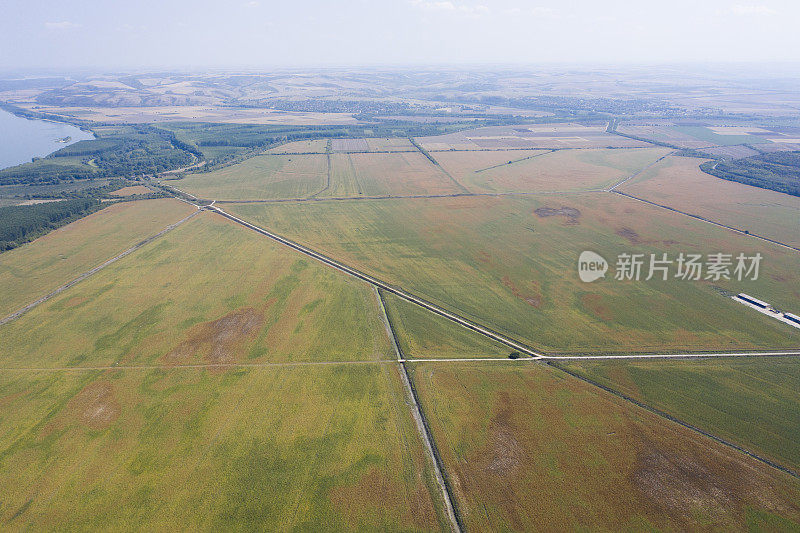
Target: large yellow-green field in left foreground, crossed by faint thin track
[{"x": 203, "y": 382}]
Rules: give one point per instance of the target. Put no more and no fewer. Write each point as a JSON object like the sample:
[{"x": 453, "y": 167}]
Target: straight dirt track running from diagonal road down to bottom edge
[{"x": 421, "y": 422}]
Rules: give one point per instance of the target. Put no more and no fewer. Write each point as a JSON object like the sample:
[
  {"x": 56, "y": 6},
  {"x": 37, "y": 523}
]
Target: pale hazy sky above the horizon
[{"x": 264, "y": 33}]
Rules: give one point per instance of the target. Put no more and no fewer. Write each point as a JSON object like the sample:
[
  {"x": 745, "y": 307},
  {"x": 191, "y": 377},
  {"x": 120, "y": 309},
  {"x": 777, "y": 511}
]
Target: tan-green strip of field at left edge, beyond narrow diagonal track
[{"x": 34, "y": 269}]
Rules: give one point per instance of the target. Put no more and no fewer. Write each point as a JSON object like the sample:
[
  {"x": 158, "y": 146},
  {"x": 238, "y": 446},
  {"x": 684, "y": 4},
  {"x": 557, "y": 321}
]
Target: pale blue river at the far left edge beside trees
[{"x": 21, "y": 138}]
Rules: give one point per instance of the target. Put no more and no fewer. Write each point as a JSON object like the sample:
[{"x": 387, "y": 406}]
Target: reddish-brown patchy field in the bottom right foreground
[{"x": 528, "y": 448}]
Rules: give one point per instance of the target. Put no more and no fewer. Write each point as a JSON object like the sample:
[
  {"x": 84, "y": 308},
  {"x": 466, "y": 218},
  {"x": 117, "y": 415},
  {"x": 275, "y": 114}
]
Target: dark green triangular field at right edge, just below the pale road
[{"x": 752, "y": 402}]
